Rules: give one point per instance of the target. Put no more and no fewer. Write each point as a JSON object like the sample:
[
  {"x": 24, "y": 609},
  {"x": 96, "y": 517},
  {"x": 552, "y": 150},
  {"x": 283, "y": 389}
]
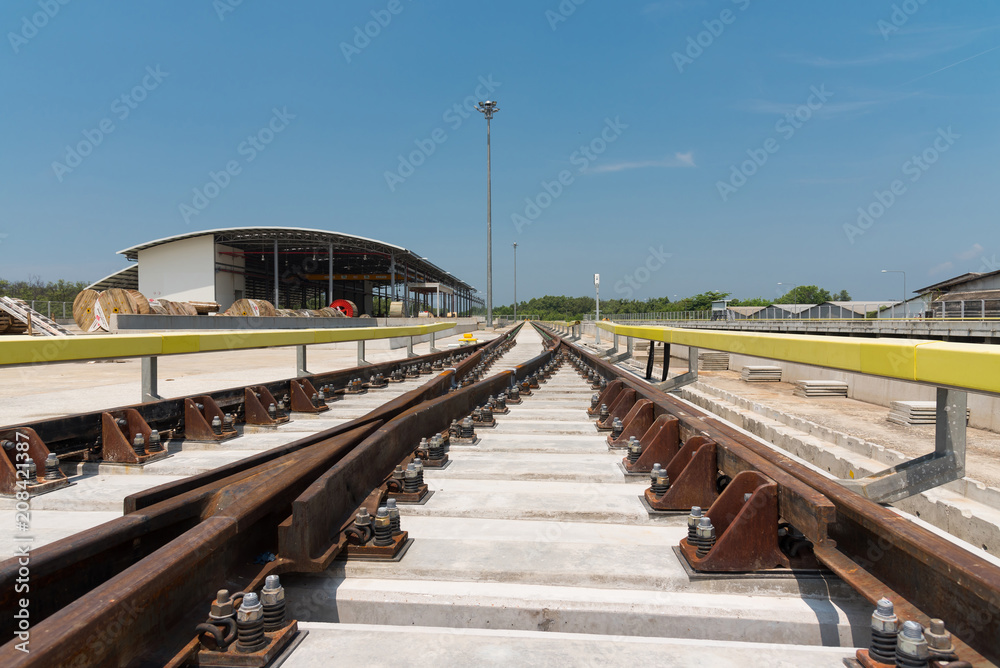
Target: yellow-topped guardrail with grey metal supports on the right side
[{"x": 953, "y": 368}]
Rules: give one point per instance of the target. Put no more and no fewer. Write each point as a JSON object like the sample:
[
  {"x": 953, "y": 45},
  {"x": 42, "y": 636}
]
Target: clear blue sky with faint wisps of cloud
[{"x": 672, "y": 146}]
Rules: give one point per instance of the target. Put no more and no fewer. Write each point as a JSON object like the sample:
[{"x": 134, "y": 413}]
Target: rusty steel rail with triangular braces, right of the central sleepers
[{"x": 876, "y": 551}]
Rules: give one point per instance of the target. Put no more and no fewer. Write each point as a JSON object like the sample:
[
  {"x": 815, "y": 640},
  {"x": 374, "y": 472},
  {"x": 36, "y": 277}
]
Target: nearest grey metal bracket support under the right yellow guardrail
[{"x": 945, "y": 464}]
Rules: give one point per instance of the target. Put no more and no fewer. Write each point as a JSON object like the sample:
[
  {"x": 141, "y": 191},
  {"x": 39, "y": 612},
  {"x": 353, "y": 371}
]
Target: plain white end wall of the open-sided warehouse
[{"x": 182, "y": 270}]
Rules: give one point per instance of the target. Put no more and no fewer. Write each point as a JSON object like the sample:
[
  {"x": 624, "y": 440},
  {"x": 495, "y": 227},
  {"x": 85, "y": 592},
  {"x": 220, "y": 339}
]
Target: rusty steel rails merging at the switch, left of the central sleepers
[{"x": 145, "y": 575}]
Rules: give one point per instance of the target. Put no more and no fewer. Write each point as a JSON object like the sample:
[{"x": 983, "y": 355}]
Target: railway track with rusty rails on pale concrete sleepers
[{"x": 532, "y": 526}]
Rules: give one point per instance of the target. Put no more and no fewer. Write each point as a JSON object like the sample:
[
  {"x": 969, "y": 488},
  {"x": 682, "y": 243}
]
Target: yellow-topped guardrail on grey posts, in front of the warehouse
[{"x": 28, "y": 350}]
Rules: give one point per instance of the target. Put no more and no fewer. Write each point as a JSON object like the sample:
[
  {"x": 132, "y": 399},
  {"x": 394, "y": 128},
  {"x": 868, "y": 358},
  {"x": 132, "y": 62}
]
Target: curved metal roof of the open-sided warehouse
[{"x": 238, "y": 236}]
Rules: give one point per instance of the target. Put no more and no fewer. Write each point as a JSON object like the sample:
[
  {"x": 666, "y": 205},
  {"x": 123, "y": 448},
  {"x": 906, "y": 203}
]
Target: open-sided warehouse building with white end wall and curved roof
[{"x": 293, "y": 268}]
